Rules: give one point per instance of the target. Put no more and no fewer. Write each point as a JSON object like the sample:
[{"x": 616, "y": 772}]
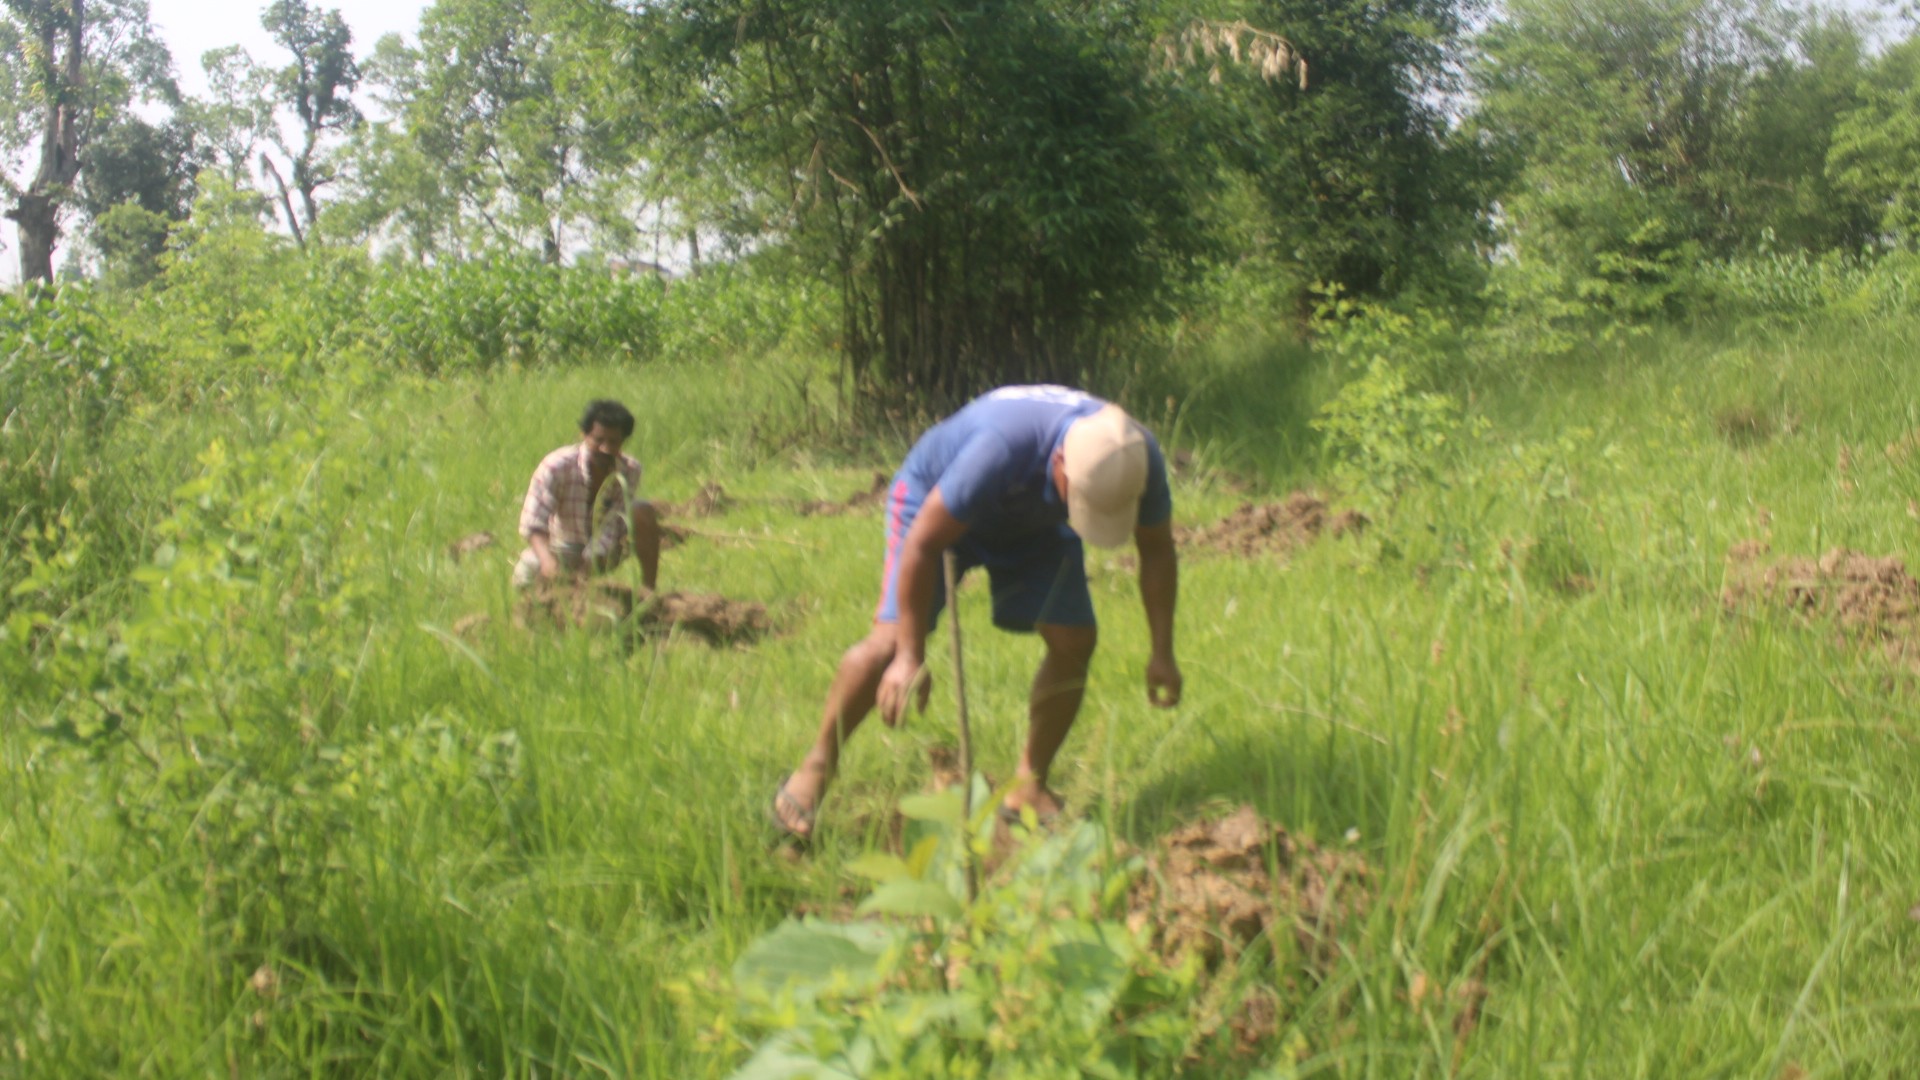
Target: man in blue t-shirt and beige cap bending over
[{"x": 1011, "y": 483}]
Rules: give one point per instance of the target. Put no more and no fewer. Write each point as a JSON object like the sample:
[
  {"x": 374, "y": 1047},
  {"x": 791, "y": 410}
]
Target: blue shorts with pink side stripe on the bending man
[{"x": 1038, "y": 579}]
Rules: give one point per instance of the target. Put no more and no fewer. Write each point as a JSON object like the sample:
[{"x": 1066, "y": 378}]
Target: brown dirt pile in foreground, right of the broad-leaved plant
[{"x": 1216, "y": 887}]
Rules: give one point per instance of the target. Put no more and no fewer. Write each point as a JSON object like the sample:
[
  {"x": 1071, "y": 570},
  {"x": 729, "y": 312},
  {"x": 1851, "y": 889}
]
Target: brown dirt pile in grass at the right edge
[{"x": 1869, "y": 601}]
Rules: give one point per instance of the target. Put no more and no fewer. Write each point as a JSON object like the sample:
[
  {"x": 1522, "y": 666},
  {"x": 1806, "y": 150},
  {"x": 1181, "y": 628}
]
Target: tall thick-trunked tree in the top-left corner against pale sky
[{"x": 68, "y": 68}]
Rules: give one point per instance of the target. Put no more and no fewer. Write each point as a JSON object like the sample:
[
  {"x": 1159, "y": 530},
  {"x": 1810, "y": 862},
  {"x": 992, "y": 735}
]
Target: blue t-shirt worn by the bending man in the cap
[{"x": 994, "y": 464}]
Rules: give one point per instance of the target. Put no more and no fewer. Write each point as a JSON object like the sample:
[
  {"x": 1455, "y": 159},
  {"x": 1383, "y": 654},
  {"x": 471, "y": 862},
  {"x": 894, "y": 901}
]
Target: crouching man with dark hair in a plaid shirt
[{"x": 558, "y": 516}]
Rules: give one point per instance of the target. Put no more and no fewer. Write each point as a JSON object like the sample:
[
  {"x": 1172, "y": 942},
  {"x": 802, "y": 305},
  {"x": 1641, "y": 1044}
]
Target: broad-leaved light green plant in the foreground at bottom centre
[{"x": 1044, "y": 975}]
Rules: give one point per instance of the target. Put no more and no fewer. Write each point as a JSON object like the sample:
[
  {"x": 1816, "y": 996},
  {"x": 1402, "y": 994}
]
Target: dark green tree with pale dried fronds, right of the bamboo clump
[{"x": 1358, "y": 178}]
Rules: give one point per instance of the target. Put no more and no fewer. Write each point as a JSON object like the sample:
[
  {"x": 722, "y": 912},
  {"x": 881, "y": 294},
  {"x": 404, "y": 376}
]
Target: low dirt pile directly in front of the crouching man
[{"x": 625, "y": 610}]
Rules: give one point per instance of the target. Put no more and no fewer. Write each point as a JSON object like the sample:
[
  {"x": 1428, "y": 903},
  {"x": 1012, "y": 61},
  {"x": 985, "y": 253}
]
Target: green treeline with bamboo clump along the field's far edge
[{"x": 1020, "y": 191}]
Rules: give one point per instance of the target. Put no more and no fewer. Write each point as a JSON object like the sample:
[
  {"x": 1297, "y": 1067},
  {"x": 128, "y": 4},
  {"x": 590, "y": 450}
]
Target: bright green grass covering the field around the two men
[{"x": 1560, "y": 791}]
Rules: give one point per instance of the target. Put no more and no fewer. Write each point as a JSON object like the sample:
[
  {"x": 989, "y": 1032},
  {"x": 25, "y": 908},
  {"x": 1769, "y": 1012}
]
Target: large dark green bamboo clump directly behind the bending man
[{"x": 982, "y": 184}]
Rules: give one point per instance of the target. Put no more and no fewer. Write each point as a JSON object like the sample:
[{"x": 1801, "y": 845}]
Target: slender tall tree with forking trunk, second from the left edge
[{"x": 318, "y": 86}]
